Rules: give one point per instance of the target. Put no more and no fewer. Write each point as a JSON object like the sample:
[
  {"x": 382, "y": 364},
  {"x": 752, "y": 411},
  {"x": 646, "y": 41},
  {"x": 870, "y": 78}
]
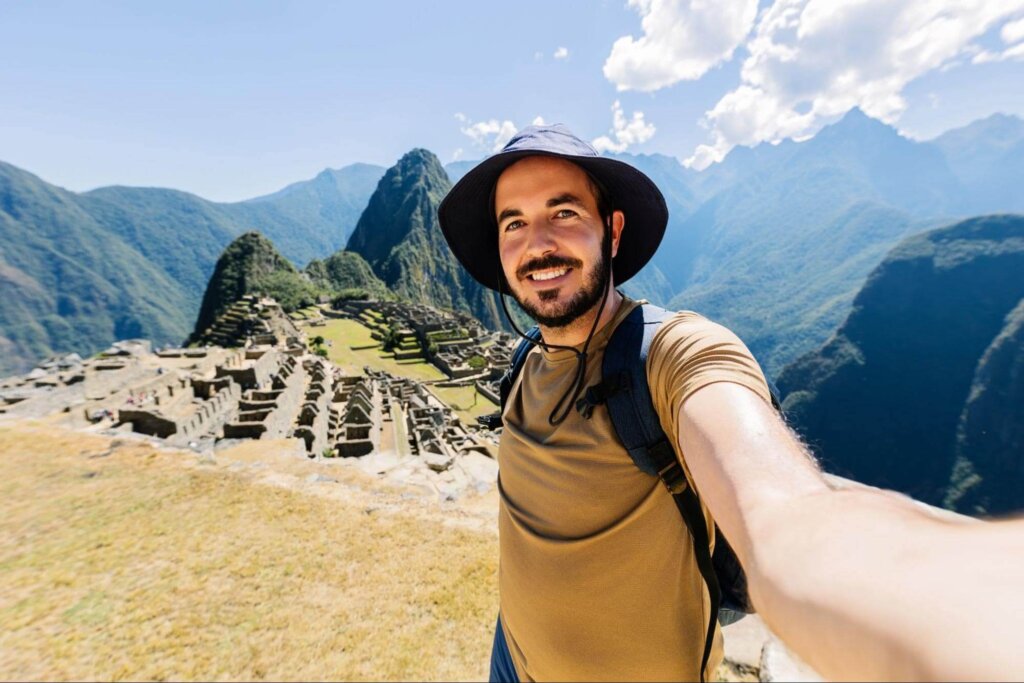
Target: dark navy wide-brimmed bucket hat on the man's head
[{"x": 467, "y": 215}]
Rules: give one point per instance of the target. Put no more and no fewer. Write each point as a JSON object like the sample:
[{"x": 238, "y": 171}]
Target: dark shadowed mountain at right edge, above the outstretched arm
[{"x": 902, "y": 395}]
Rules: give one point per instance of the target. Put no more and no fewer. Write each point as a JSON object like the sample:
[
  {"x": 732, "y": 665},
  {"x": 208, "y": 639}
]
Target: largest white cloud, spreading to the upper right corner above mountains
[{"x": 813, "y": 61}]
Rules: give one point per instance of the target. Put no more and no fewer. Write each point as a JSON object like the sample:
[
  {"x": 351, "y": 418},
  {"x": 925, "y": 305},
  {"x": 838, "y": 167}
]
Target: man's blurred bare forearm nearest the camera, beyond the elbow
[{"x": 864, "y": 586}]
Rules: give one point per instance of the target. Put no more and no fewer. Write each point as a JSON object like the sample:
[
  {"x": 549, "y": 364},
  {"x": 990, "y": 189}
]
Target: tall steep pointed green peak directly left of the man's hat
[{"x": 400, "y": 237}]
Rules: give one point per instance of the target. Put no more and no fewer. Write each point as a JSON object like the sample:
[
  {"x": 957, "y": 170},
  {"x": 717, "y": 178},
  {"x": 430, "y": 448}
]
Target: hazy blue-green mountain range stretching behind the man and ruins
[{"x": 775, "y": 242}]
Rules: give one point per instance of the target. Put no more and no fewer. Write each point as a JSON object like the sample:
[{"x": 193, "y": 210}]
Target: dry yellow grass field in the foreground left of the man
[{"x": 138, "y": 563}]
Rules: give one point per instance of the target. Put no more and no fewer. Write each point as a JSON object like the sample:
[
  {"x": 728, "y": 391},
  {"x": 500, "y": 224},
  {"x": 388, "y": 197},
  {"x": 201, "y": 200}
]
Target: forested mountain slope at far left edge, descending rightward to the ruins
[{"x": 69, "y": 283}]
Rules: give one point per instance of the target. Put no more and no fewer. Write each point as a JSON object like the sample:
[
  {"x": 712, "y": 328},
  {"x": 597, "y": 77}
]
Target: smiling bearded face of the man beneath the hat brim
[{"x": 550, "y": 238}]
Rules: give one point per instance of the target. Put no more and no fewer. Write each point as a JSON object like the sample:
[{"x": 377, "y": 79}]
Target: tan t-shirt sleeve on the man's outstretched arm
[{"x": 690, "y": 353}]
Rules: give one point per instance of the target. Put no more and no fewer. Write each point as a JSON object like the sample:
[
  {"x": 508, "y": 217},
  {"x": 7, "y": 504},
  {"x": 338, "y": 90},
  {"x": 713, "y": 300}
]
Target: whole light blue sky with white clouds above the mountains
[{"x": 235, "y": 100}]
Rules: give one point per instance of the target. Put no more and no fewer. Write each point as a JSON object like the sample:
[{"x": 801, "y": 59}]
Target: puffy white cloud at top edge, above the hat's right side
[{"x": 682, "y": 40}]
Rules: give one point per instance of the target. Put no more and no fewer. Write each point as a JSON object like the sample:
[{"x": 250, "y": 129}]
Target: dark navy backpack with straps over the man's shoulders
[{"x": 624, "y": 389}]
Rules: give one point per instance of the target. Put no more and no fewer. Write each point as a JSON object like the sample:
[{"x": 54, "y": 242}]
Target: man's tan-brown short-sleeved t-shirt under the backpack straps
[{"x": 598, "y": 576}]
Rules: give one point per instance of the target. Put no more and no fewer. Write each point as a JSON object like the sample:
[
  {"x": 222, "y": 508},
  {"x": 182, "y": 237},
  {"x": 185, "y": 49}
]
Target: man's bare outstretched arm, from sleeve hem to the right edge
[{"x": 861, "y": 583}]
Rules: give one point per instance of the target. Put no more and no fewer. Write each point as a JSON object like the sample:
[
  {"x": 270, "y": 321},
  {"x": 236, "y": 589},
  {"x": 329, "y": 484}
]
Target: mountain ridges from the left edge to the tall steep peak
[{"x": 86, "y": 270}]
